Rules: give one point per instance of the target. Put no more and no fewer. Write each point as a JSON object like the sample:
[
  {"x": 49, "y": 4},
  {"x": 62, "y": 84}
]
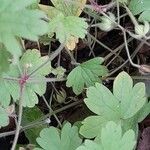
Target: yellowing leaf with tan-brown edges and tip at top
[{"x": 64, "y": 21}]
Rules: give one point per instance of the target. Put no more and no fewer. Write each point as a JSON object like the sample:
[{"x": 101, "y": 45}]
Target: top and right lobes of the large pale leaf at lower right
[{"x": 132, "y": 98}]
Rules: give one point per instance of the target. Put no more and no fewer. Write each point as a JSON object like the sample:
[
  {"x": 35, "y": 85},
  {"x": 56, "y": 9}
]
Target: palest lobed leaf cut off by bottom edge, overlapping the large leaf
[{"x": 112, "y": 139}]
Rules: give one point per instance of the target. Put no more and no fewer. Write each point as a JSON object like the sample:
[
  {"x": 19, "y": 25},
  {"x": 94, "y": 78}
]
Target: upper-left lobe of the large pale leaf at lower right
[{"x": 102, "y": 102}]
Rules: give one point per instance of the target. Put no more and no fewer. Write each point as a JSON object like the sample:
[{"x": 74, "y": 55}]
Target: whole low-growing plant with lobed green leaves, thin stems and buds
[{"x": 24, "y": 74}]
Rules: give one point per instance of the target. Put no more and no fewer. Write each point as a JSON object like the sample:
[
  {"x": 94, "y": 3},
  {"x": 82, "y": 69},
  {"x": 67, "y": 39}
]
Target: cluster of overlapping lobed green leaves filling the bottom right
[{"x": 114, "y": 126}]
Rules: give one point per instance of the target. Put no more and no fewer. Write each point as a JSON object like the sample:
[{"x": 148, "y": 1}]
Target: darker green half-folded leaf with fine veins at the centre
[{"x": 86, "y": 74}]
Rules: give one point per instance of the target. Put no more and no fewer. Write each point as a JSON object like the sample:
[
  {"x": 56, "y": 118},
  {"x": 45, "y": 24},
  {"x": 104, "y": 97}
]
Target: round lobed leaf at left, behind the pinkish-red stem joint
[{"x": 36, "y": 83}]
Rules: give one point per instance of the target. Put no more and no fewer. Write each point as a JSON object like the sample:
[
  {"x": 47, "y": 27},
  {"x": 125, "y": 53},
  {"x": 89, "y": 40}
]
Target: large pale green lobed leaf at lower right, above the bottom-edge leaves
[{"x": 124, "y": 106}]
